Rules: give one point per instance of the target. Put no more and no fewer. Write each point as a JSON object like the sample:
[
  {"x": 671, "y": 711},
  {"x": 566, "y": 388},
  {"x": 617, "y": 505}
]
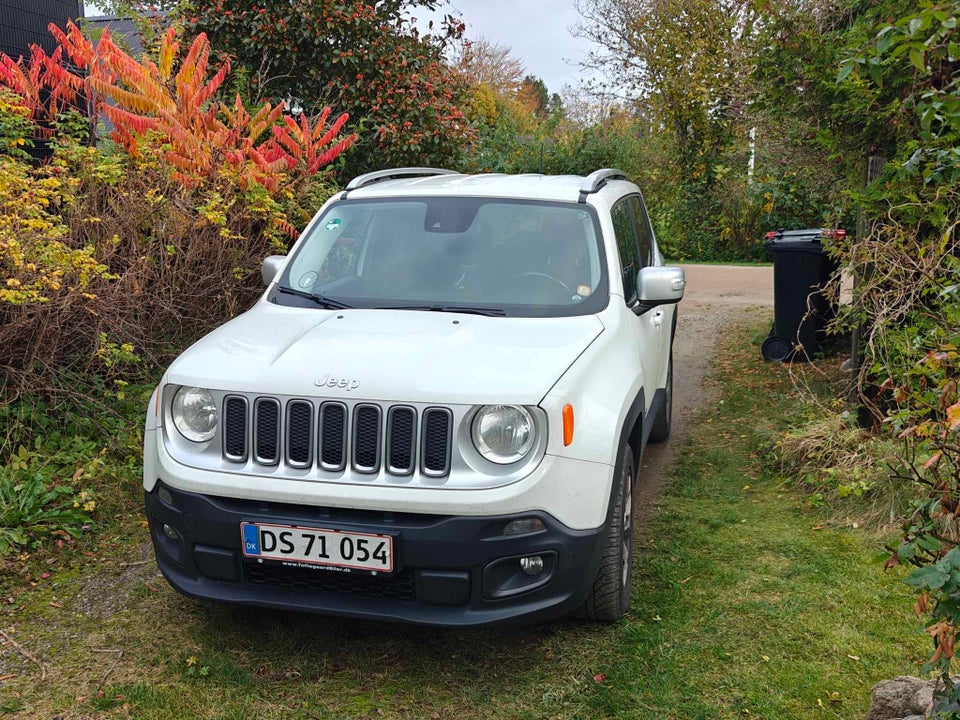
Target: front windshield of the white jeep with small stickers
[{"x": 495, "y": 256}]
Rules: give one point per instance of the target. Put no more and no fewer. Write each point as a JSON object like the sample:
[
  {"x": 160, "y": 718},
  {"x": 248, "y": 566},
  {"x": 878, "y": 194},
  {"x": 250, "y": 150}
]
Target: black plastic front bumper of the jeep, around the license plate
[{"x": 450, "y": 570}]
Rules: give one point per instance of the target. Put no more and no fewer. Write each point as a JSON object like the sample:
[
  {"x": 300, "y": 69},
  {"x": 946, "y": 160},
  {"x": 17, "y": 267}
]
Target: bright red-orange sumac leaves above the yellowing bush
[{"x": 149, "y": 102}]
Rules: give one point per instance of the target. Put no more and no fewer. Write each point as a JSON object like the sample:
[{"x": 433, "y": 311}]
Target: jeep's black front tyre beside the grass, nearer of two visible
[{"x": 609, "y": 598}]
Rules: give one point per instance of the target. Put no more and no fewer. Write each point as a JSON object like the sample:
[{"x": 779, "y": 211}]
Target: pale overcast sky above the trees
[{"x": 537, "y": 32}]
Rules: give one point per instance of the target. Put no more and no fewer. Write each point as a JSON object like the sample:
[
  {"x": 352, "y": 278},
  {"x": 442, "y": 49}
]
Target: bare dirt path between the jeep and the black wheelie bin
[{"x": 715, "y": 295}]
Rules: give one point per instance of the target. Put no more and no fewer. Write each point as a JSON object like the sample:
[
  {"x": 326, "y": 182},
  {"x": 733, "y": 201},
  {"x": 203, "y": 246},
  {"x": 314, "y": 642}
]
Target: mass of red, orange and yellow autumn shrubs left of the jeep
[{"x": 118, "y": 254}]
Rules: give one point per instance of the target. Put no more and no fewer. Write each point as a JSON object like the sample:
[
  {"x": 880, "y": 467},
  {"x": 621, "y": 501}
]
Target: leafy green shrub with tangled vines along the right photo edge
[{"x": 908, "y": 299}]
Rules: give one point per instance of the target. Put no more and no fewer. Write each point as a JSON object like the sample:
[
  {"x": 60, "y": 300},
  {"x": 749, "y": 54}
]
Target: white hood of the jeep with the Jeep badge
[{"x": 388, "y": 355}]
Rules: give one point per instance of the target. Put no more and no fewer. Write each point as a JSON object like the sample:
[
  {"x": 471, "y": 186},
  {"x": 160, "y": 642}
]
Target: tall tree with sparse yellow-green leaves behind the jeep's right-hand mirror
[{"x": 685, "y": 66}]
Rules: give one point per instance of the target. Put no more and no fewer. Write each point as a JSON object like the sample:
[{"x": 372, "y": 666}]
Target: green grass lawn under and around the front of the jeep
[{"x": 747, "y": 603}]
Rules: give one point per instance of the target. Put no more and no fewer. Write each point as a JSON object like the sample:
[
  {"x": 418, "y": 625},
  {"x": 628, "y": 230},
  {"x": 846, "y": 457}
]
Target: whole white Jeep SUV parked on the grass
[{"x": 434, "y": 413}]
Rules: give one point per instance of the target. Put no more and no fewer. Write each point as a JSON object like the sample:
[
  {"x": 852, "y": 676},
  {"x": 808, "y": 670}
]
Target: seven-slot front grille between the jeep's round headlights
[{"x": 328, "y": 435}]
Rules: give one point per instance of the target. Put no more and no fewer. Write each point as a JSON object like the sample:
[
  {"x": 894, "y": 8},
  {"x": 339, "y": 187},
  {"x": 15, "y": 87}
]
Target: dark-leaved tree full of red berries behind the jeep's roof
[{"x": 363, "y": 58}]
